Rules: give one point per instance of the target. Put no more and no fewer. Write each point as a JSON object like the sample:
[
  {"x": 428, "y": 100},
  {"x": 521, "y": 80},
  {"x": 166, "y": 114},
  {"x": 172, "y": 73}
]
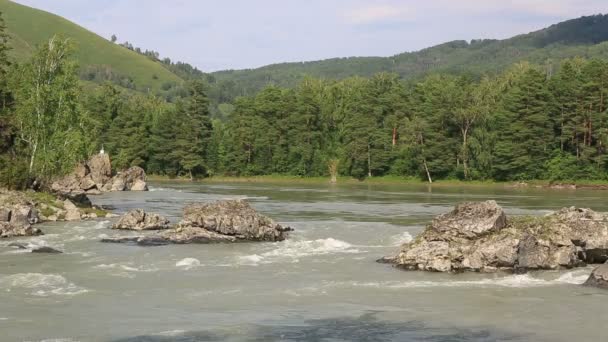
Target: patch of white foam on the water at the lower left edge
[{"x": 41, "y": 284}]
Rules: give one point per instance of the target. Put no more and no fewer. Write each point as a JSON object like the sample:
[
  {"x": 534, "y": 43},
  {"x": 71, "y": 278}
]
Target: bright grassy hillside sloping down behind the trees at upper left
[{"x": 30, "y": 27}]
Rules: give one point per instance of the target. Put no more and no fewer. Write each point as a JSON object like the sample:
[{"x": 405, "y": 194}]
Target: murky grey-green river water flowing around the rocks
[{"x": 322, "y": 284}]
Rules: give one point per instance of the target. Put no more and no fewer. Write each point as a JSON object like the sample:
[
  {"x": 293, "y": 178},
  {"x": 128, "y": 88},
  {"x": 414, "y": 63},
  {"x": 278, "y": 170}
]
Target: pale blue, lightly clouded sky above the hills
[{"x": 237, "y": 34}]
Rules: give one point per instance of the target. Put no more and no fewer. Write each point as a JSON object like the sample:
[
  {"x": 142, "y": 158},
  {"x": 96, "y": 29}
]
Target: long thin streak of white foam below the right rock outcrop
[{"x": 576, "y": 277}]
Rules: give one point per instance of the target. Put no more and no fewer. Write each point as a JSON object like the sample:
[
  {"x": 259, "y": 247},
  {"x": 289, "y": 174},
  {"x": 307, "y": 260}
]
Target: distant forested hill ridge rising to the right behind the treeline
[{"x": 585, "y": 37}]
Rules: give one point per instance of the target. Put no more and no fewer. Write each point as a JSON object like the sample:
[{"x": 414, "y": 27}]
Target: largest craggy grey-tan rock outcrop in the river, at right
[{"x": 478, "y": 237}]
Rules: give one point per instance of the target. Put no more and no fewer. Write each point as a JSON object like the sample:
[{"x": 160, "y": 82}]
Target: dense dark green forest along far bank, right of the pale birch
[{"x": 523, "y": 124}]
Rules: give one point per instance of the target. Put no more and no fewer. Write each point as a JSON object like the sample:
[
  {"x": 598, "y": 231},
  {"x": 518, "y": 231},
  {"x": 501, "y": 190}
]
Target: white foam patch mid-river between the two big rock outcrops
[{"x": 292, "y": 249}]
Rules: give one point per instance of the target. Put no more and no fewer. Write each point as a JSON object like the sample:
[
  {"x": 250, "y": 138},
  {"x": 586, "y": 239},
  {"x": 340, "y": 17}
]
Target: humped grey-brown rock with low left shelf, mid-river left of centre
[{"x": 220, "y": 222}]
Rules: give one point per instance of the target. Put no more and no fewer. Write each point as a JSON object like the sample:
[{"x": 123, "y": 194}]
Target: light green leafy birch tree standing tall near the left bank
[{"x": 48, "y": 111}]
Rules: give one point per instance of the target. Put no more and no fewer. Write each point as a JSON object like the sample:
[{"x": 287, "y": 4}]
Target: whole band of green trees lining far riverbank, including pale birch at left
[{"x": 528, "y": 122}]
